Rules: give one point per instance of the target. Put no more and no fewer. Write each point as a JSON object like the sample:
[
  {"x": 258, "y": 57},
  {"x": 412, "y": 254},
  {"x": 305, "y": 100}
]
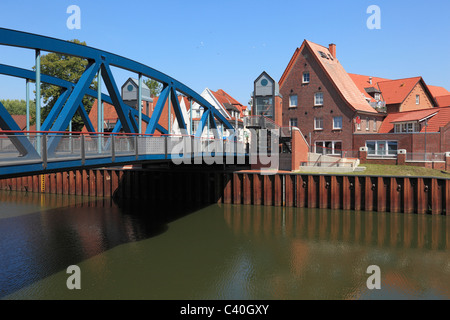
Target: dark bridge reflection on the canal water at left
[{"x": 44, "y": 234}]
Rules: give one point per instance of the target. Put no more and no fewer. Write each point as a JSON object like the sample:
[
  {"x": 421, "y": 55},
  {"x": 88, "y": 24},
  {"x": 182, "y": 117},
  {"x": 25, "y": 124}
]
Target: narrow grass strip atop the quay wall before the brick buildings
[{"x": 397, "y": 170}]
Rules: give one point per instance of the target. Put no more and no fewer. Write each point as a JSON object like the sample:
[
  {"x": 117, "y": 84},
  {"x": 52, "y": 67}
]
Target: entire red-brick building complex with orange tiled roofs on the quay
[{"x": 339, "y": 112}]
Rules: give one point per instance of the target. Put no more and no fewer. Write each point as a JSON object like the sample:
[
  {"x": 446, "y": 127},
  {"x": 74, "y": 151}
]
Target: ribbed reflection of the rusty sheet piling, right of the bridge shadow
[{"x": 368, "y": 228}]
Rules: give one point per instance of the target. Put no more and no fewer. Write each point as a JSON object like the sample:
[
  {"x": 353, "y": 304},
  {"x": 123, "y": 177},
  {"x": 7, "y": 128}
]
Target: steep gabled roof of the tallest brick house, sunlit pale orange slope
[{"x": 336, "y": 73}]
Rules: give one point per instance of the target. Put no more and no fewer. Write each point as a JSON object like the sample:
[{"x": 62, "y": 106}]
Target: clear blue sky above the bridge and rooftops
[{"x": 226, "y": 44}]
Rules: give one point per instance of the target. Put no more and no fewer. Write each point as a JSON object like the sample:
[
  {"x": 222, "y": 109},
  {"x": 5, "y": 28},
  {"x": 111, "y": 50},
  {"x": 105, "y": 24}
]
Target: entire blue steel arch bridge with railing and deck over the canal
[{"x": 53, "y": 147}]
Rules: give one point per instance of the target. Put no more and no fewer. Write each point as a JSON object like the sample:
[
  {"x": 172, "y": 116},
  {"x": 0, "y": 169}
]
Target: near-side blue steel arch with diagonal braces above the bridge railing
[{"x": 102, "y": 59}]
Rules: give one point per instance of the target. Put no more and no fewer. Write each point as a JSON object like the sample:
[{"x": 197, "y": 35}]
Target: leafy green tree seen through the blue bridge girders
[{"x": 68, "y": 68}]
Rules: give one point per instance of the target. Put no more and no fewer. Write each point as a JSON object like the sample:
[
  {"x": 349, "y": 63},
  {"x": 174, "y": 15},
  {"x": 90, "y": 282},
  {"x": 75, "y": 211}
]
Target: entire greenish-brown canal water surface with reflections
[{"x": 140, "y": 251}]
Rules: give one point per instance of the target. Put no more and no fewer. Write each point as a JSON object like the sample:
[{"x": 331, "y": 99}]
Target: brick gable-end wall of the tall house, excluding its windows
[{"x": 305, "y": 112}]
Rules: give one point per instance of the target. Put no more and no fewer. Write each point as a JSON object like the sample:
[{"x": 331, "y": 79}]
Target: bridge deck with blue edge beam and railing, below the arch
[{"x": 59, "y": 152}]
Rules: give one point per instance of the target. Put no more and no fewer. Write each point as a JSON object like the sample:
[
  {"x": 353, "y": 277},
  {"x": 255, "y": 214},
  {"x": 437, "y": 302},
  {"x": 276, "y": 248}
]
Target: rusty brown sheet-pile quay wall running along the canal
[{"x": 421, "y": 195}]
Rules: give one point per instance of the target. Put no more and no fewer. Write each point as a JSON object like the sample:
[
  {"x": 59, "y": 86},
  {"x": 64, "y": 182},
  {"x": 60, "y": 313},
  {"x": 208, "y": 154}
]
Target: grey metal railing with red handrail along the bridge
[{"x": 64, "y": 146}]
